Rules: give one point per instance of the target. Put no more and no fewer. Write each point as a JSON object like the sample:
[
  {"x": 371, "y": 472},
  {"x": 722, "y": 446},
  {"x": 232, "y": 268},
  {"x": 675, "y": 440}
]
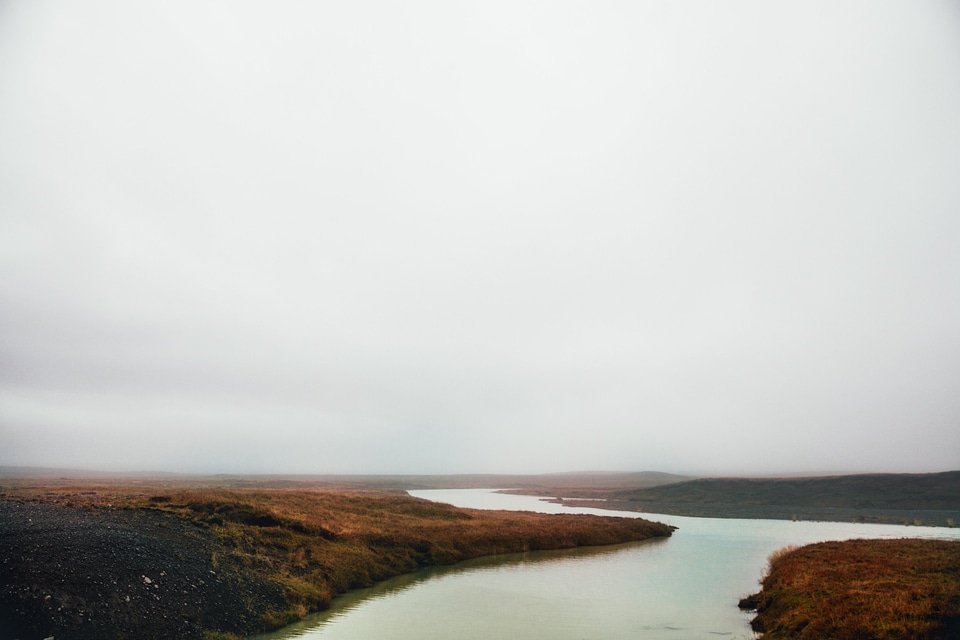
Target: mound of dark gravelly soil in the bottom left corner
[{"x": 93, "y": 573}]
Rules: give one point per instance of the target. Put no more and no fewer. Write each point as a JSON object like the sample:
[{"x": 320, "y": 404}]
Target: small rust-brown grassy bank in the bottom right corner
[{"x": 861, "y": 590}]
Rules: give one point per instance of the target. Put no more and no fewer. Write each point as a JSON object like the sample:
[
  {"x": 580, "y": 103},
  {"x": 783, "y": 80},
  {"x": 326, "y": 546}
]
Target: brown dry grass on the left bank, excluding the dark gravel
[{"x": 317, "y": 543}]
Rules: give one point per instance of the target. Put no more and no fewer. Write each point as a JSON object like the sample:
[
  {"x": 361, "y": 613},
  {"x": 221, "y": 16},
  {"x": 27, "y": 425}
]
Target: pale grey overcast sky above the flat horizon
[{"x": 490, "y": 236}]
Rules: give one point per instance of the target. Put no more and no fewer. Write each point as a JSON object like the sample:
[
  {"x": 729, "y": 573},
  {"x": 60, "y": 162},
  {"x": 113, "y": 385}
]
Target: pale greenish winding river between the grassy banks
[{"x": 681, "y": 588}]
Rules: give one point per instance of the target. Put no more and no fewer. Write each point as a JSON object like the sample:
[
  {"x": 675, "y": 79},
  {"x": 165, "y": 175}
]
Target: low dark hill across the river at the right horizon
[{"x": 929, "y": 491}]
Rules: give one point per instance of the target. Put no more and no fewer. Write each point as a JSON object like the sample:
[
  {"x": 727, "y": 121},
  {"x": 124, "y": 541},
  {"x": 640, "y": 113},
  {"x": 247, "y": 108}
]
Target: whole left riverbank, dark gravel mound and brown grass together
[{"x": 140, "y": 560}]
